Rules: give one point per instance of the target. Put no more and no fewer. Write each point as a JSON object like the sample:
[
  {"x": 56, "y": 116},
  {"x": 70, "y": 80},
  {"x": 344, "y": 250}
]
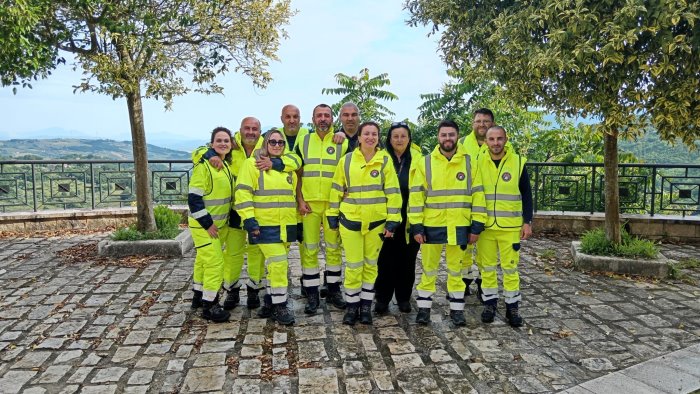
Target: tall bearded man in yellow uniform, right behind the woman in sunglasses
[{"x": 320, "y": 156}]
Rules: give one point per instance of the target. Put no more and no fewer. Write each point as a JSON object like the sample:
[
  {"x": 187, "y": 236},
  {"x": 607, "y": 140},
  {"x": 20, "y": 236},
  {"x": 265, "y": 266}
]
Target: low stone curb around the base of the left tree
[{"x": 177, "y": 247}]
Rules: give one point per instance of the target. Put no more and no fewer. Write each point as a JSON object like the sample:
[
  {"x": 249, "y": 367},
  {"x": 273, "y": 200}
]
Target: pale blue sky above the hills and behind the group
[{"x": 325, "y": 38}]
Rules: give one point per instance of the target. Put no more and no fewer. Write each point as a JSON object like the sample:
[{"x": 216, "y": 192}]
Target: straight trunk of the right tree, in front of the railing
[{"x": 612, "y": 191}]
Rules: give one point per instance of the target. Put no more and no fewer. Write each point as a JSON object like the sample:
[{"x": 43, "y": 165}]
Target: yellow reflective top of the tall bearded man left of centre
[{"x": 320, "y": 159}]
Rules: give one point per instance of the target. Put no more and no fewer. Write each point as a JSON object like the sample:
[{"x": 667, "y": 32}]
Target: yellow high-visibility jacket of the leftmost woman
[{"x": 209, "y": 197}]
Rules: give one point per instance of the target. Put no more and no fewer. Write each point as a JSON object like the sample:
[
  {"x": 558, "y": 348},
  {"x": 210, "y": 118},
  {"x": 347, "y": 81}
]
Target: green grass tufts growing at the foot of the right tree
[{"x": 594, "y": 242}]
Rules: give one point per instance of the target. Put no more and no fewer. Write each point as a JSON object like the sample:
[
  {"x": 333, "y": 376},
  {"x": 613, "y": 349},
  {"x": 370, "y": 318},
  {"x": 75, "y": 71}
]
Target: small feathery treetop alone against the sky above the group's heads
[{"x": 366, "y": 92}]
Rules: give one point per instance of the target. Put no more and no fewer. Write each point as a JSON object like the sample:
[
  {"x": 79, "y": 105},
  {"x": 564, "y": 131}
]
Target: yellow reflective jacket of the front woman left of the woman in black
[{"x": 366, "y": 193}]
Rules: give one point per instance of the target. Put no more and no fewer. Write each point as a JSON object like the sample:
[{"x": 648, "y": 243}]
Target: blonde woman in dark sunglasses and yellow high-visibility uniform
[{"x": 266, "y": 202}]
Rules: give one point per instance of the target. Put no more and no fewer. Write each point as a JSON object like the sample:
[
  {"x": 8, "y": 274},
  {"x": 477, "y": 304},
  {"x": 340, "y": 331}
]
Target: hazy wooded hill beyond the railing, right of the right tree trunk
[{"x": 650, "y": 149}]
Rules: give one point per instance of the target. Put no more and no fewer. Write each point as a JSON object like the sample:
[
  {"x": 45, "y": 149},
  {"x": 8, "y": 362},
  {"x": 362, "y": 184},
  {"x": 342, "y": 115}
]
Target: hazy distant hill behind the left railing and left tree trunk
[{"x": 77, "y": 149}]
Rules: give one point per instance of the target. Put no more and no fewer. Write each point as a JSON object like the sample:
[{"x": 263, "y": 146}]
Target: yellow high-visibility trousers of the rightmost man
[{"x": 490, "y": 245}]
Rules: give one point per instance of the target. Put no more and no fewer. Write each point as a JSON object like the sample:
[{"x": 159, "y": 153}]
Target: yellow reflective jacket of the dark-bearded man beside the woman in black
[{"x": 446, "y": 196}]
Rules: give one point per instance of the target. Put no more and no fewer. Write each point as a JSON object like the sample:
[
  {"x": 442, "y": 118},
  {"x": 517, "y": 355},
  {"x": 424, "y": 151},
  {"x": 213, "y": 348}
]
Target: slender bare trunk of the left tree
[{"x": 145, "y": 221}]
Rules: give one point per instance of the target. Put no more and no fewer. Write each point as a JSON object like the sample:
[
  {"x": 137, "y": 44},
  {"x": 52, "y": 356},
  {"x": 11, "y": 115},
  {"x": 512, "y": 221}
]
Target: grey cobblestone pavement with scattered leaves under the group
[{"x": 93, "y": 328}]
